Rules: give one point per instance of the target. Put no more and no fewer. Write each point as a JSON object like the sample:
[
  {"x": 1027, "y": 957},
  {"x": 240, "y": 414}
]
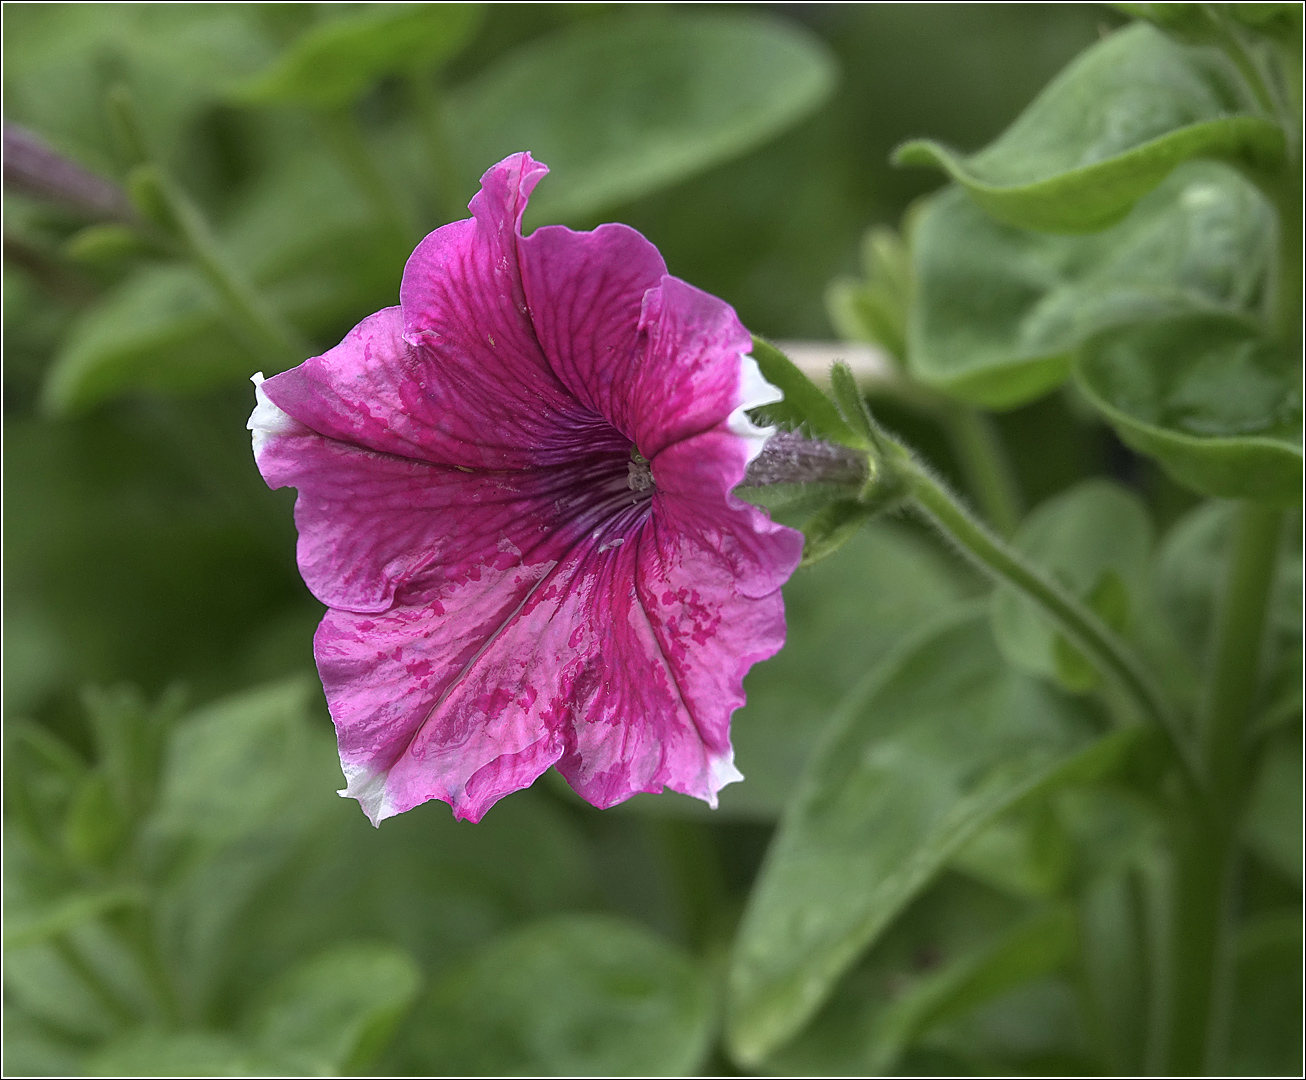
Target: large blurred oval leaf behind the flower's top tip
[{"x": 621, "y": 108}]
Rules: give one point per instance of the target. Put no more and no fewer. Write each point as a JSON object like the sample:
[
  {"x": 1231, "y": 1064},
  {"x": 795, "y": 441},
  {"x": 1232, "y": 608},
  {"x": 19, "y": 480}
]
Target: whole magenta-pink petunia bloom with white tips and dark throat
[{"x": 515, "y": 500}]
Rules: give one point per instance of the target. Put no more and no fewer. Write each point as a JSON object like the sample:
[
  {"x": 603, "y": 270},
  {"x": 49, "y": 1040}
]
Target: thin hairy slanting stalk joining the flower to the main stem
[{"x": 1095, "y": 639}]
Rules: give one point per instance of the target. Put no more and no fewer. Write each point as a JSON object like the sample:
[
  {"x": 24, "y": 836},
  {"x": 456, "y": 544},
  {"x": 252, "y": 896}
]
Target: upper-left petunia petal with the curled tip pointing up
[{"x": 454, "y": 375}]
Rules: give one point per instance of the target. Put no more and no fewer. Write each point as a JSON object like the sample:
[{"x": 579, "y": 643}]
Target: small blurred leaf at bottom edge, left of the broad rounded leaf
[{"x": 335, "y": 1013}]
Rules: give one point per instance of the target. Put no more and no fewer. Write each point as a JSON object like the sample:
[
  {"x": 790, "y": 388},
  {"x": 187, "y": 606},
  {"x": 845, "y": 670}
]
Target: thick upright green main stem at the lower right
[{"x": 1206, "y": 835}]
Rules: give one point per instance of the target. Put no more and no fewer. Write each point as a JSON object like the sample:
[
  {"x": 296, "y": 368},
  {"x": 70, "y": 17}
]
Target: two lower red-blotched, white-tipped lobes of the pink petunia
[{"x": 622, "y": 665}]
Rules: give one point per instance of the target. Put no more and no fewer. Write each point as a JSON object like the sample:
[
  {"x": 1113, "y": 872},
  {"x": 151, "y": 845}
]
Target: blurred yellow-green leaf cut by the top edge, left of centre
[{"x": 335, "y": 62}]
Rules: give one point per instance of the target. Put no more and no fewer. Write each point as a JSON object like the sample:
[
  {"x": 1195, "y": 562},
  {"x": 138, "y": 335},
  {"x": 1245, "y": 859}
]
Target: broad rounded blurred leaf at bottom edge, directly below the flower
[{"x": 581, "y": 996}]
